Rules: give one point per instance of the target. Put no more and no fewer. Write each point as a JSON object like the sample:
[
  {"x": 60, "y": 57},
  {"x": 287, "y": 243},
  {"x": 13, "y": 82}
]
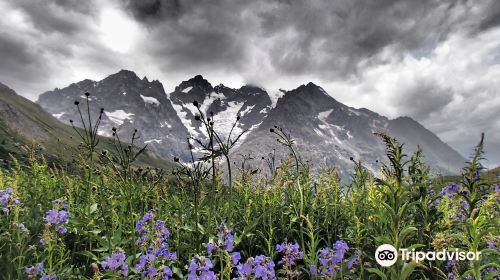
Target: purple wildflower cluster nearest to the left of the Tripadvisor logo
[{"x": 330, "y": 260}]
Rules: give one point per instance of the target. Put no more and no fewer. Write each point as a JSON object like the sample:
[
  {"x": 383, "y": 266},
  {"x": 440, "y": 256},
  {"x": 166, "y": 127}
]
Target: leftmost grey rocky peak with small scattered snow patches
[{"x": 129, "y": 103}]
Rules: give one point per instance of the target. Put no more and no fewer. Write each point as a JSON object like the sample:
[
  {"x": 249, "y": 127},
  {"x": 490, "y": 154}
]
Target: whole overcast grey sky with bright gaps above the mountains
[{"x": 436, "y": 61}]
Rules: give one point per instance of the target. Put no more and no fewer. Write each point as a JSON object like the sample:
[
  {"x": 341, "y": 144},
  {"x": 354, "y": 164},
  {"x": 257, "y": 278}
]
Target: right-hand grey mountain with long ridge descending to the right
[{"x": 328, "y": 132}]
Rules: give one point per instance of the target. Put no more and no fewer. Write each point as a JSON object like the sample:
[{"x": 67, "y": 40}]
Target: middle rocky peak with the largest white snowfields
[{"x": 249, "y": 102}]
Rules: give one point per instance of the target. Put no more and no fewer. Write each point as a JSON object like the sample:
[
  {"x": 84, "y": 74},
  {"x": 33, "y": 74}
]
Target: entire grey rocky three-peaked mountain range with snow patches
[{"x": 326, "y": 131}]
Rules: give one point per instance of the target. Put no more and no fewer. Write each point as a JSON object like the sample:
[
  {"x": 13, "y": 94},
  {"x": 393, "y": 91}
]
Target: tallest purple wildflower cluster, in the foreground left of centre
[{"x": 152, "y": 238}]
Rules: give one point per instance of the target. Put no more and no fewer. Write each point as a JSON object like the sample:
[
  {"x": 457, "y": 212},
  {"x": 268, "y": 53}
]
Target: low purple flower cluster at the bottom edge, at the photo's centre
[{"x": 260, "y": 267}]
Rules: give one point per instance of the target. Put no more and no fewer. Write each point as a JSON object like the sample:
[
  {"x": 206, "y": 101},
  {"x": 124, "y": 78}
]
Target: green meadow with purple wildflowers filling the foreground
[{"x": 111, "y": 219}]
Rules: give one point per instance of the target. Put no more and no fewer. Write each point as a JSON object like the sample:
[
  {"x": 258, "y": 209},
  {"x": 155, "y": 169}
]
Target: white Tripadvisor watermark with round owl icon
[{"x": 386, "y": 255}]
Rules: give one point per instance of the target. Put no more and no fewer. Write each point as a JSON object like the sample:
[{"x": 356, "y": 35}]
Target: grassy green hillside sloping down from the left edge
[{"x": 22, "y": 121}]
